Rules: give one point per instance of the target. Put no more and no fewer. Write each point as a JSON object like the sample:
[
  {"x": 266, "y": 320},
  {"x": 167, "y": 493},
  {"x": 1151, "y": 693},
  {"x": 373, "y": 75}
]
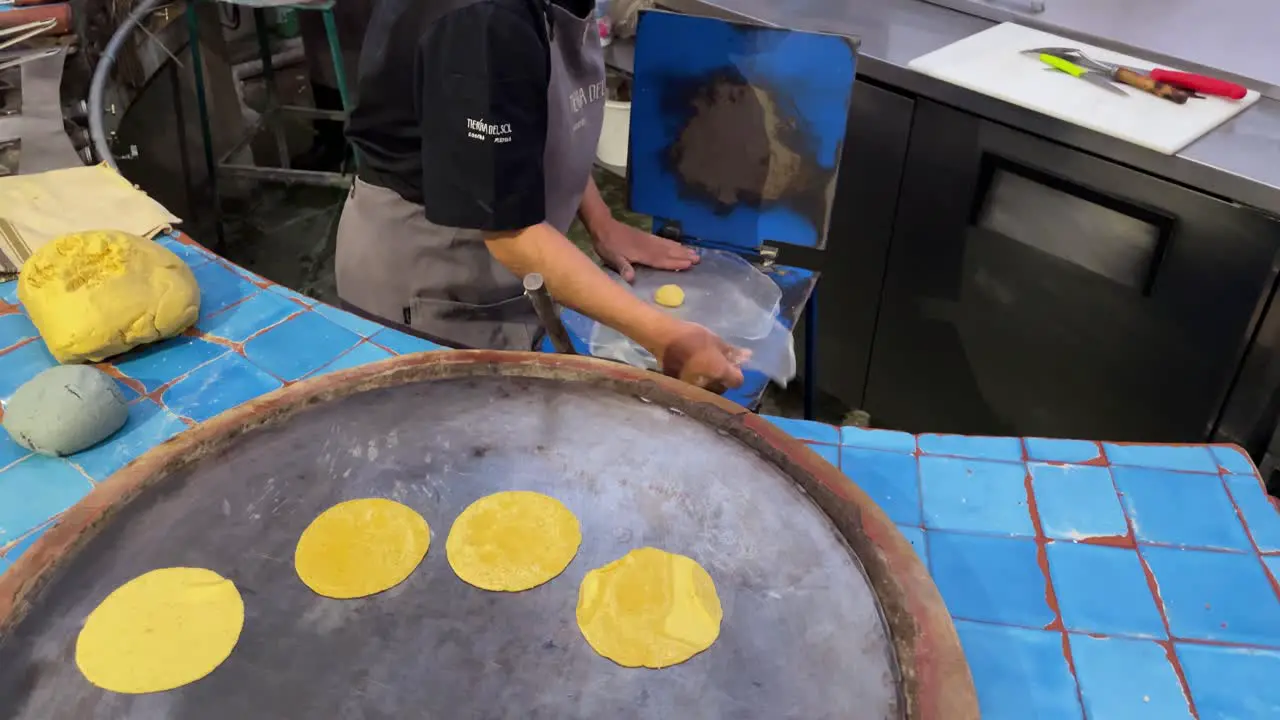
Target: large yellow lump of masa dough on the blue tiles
[{"x": 98, "y": 294}]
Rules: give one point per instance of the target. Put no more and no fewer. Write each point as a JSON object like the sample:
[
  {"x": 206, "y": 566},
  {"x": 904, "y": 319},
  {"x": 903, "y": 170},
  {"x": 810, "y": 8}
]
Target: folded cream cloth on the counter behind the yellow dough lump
[{"x": 39, "y": 208}]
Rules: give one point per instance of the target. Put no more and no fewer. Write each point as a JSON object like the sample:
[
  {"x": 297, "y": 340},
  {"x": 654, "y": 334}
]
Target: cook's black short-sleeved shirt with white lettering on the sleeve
[{"x": 452, "y": 110}]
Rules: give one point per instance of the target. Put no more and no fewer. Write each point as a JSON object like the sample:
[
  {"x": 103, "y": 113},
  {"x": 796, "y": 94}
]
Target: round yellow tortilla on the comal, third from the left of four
[{"x": 513, "y": 541}]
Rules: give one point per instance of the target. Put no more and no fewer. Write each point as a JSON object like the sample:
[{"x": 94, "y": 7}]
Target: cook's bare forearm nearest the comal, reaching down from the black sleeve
[{"x": 574, "y": 281}]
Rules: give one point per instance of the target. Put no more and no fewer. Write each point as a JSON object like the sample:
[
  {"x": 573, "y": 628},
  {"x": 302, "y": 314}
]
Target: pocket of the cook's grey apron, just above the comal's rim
[{"x": 510, "y": 325}]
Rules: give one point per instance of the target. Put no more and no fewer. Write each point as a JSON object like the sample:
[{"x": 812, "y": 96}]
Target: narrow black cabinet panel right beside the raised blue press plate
[{"x": 862, "y": 225}]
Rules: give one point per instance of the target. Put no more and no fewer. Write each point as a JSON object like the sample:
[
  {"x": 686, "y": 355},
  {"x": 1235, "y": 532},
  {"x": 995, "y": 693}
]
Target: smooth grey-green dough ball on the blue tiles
[{"x": 65, "y": 411}]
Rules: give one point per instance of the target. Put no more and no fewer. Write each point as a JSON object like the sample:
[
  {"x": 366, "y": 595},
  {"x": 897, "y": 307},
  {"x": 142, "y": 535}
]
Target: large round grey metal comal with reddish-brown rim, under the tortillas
[{"x": 829, "y": 613}]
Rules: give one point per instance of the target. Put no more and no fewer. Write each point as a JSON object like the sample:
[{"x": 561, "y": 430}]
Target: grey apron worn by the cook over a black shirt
[{"x": 395, "y": 265}]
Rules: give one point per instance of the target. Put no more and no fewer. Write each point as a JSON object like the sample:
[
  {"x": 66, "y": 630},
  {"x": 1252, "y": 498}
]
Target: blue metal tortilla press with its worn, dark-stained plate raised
[{"x": 735, "y": 148}]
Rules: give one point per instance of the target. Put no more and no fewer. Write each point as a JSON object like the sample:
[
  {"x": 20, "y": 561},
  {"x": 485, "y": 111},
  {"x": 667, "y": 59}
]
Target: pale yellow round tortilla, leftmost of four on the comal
[{"x": 161, "y": 631}]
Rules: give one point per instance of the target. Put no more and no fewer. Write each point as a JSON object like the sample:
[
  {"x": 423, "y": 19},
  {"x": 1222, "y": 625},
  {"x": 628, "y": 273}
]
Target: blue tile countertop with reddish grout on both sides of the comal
[{"x": 1098, "y": 581}]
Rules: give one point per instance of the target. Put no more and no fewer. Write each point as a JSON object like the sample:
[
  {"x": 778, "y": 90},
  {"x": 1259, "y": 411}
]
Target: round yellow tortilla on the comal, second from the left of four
[{"x": 362, "y": 548}]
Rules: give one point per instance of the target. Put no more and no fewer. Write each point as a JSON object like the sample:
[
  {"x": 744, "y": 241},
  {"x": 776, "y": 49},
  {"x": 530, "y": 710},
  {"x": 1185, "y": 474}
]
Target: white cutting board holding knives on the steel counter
[{"x": 993, "y": 63}]
